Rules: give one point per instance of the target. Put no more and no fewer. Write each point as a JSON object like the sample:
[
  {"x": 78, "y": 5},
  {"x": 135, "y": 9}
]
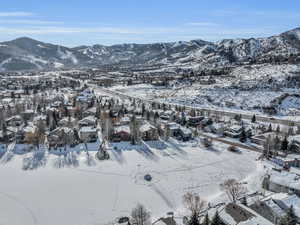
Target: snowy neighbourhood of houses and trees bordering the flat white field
[{"x": 59, "y": 113}]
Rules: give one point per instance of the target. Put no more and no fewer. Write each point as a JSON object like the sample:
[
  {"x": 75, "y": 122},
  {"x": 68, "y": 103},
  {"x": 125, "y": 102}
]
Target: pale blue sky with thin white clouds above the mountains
[{"x": 86, "y": 22}]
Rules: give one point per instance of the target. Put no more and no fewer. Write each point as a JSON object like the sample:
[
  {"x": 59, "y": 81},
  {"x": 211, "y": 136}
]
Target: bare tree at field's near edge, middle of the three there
[{"x": 193, "y": 203}]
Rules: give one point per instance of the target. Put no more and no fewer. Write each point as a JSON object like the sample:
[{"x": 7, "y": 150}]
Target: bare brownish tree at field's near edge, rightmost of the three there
[{"x": 233, "y": 189}]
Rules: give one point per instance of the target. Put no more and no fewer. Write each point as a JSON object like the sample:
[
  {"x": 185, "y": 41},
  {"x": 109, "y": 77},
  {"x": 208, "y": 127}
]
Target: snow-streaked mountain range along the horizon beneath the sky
[{"x": 26, "y": 53}]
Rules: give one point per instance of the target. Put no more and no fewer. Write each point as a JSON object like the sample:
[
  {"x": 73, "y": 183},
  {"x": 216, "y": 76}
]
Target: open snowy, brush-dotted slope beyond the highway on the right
[{"x": 218, "y": 95}]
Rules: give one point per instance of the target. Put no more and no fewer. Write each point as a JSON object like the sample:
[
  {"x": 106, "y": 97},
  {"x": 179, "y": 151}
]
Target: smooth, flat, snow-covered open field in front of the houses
[{"x": 79, "y": 190}]
